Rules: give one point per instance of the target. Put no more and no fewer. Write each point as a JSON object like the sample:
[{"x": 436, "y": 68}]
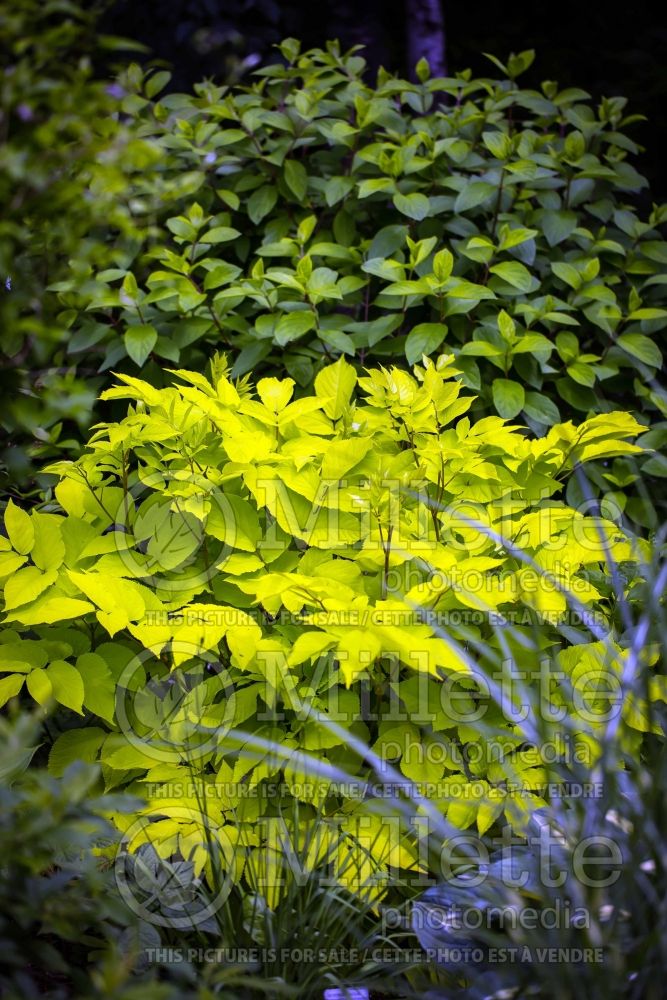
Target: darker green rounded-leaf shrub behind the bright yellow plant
[{"x": 312, "y": 214}]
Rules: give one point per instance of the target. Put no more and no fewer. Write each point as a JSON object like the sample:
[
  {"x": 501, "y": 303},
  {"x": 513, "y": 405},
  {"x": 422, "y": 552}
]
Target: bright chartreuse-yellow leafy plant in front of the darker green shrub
[{"x": 310, "y": 571}]
